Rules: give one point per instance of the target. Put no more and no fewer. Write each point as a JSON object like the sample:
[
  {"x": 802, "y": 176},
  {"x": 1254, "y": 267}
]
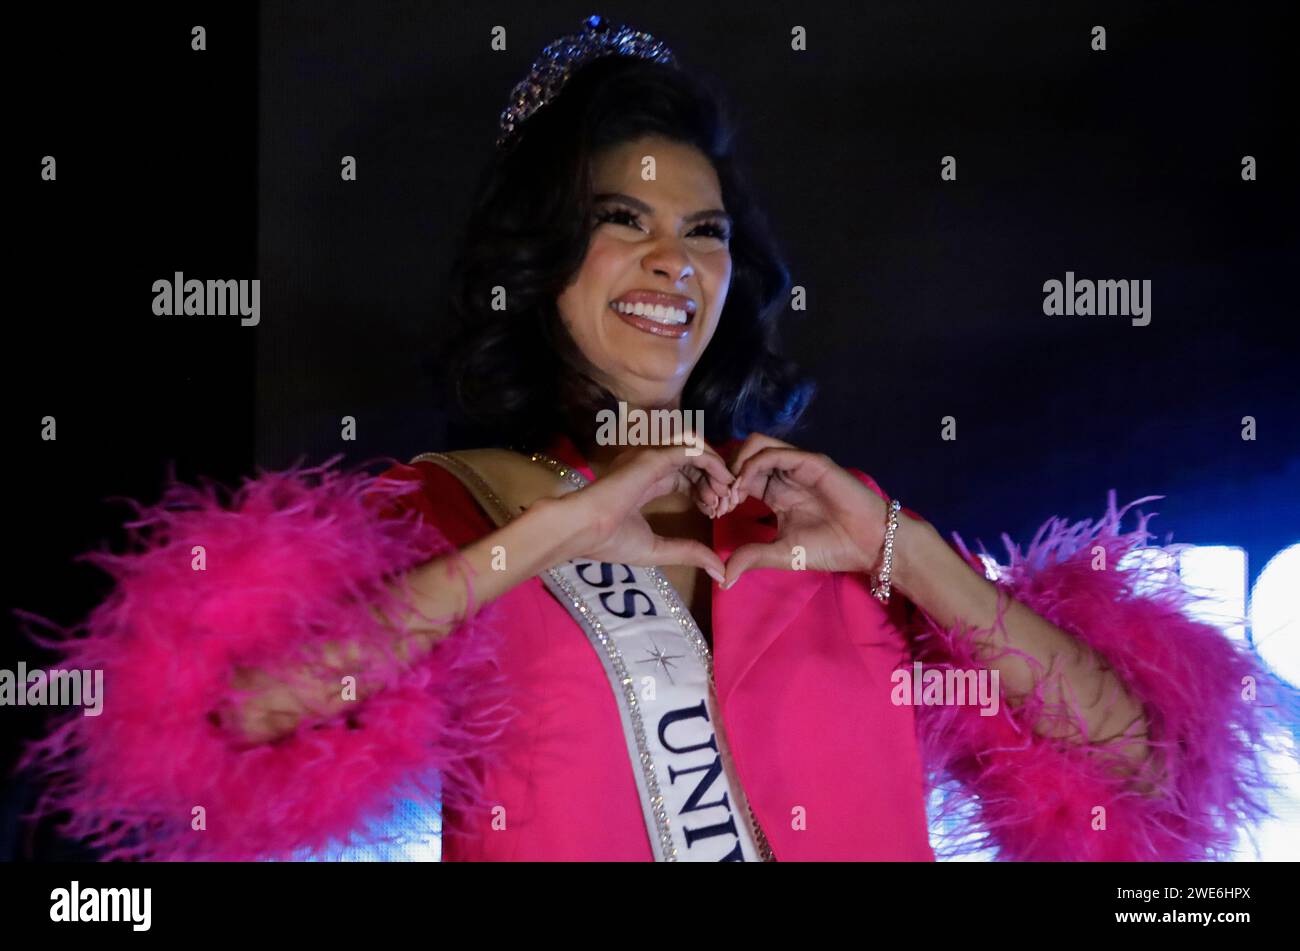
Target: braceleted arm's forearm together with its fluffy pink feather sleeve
[{"x": 1130, "y": 732}]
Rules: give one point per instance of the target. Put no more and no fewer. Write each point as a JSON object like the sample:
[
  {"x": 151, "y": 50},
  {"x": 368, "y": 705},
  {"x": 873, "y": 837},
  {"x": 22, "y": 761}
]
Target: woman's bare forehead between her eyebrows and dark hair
[{"x": 683, "y": 173}]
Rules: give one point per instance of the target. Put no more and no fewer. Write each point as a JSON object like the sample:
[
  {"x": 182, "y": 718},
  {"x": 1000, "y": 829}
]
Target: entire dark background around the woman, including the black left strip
[{"x": 925, "y": 297}]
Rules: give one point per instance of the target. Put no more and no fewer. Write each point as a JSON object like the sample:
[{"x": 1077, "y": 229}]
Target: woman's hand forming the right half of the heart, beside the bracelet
[{"x": 838, "y": 522}]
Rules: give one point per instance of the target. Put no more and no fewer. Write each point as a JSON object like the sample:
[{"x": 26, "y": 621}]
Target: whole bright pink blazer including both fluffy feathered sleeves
[{"x": 803, "y": 662}]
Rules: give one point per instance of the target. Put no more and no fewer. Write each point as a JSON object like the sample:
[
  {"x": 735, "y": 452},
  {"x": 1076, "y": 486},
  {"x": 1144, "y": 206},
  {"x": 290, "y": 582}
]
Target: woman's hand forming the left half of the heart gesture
[{"x": 608, "y": 513}]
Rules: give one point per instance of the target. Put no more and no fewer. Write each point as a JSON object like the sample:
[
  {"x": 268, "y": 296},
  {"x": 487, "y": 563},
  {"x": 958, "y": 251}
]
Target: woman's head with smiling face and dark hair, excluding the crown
[{"x": 627, "y": 184}]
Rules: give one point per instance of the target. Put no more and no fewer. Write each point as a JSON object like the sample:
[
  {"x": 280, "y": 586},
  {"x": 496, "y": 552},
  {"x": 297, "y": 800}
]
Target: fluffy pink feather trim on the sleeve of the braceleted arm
[{"x": 1033, "y": 798}]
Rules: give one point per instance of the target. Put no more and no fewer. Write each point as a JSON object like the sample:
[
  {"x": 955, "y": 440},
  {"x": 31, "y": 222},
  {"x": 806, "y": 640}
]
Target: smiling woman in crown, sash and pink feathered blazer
[{"x": 328, "y": 645}]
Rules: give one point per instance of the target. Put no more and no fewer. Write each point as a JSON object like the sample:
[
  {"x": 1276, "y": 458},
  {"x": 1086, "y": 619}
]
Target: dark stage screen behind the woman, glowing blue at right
[{"x": 925, "y": 298}]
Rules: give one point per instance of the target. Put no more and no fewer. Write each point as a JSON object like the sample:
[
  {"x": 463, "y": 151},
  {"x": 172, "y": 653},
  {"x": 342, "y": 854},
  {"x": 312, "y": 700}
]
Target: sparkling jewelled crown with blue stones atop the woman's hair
[{"x": 564, "y": 58}]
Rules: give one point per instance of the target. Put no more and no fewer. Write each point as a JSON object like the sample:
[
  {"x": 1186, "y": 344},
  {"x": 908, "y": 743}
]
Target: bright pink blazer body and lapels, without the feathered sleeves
[{"x": 803, "y": 665}]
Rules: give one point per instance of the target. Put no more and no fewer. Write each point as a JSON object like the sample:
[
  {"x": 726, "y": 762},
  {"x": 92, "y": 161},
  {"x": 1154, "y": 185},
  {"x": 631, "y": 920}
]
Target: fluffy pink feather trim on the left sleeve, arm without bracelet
[{"x": 296, "y": 559}]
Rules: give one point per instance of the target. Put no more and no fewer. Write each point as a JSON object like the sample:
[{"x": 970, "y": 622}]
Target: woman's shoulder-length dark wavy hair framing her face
[{"x": 518, "y": 375}]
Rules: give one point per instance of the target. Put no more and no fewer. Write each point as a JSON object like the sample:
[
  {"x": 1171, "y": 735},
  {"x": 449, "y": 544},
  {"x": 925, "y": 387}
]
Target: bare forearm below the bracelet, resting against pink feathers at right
[{"x": 938, "y": 581}]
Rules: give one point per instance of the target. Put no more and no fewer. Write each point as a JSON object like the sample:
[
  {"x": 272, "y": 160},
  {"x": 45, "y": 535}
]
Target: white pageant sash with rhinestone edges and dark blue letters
[{"x": 661, "y": 671}]
